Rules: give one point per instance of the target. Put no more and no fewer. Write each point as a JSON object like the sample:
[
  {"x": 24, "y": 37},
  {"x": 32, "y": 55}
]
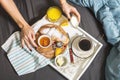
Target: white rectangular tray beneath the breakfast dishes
[{"x": 76, "y": 70}]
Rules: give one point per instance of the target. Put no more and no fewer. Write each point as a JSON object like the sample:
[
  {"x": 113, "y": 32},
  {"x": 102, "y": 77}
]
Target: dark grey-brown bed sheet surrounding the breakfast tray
[{"x": 33, "y": 10}]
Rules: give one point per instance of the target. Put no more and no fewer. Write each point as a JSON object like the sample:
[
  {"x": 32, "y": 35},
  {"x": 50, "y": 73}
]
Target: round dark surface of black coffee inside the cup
[{"x": 85, "y": 44}]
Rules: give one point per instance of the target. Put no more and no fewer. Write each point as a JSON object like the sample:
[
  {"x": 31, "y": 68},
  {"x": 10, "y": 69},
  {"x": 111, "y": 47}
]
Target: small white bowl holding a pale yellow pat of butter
[{"x": 61, "y": 61}]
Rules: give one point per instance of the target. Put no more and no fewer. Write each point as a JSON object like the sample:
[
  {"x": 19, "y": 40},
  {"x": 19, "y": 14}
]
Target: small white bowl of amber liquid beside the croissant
[{"x": 44, "y": 41}]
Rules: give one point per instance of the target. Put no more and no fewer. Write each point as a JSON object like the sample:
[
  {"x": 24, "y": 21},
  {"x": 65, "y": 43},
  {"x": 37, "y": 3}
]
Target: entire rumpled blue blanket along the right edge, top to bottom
[{"x": 108, "y": 13}]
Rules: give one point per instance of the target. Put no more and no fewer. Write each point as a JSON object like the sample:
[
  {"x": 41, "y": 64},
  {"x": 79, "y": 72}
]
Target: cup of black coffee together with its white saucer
[{"x": 83, "y": 47}]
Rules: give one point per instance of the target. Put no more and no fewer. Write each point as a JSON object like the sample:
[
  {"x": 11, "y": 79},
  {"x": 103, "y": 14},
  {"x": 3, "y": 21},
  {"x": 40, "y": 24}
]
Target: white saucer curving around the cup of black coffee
[{"x": 81, "y": 53}]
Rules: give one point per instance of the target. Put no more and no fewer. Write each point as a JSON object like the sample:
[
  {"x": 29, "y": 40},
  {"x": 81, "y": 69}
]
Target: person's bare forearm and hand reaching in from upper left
[{"x": 27, "y": 33}]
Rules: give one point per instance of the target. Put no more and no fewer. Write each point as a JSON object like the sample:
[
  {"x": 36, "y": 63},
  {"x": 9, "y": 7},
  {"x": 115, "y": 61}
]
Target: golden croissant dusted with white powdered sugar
[{"x": 56, "y": 33}]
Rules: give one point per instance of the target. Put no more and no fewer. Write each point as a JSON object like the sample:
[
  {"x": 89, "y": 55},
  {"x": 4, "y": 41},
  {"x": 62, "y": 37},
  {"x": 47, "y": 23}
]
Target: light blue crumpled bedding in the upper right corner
[{"x": 108, "y": 13}]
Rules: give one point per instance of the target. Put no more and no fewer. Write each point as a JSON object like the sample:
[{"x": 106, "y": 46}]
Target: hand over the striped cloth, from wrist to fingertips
[{"x": 28, "y": 37}]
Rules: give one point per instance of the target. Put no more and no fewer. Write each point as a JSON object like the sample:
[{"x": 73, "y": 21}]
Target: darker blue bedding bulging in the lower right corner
[{"x": 113, "y": 64}]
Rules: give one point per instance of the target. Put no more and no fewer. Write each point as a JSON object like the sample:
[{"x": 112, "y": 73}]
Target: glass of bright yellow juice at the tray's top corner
[{"x": 53, "y": 14}]
